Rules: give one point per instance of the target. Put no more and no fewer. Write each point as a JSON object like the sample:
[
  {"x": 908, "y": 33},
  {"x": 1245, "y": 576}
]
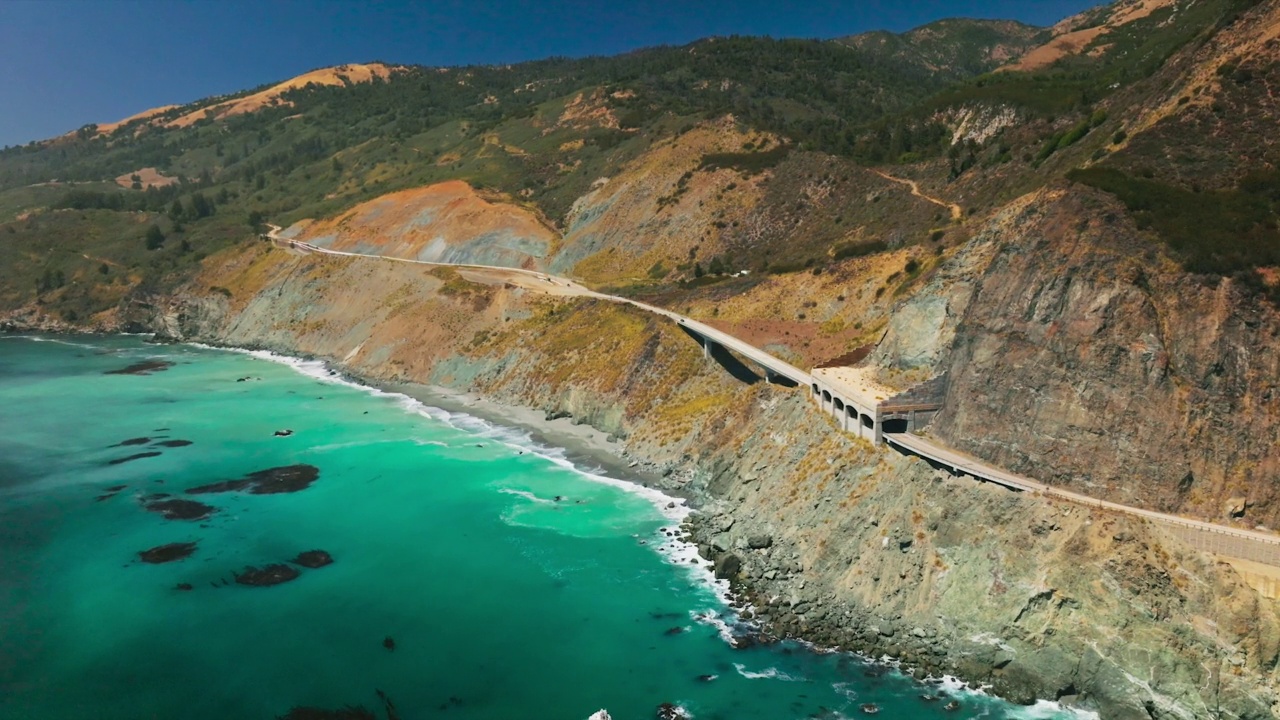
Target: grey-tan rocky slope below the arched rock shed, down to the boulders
[{"x": 1041, "y": 600}]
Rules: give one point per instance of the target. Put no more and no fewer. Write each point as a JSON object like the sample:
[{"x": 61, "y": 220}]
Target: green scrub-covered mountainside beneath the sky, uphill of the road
[{"x": 542, "y": 134}]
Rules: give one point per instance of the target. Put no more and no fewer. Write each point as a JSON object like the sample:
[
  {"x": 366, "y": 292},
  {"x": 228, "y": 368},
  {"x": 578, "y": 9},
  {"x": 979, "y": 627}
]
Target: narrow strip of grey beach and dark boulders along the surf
[{"x": 762, "y": 575}]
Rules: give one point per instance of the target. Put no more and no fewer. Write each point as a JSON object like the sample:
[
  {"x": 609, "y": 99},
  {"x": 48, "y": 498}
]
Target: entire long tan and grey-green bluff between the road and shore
[{"x": 833, "y": 540}]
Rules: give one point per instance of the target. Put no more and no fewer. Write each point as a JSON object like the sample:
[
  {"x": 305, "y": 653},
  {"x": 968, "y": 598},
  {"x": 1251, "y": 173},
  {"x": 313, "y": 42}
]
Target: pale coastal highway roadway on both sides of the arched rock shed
[{"x": 1251, "y": 545}]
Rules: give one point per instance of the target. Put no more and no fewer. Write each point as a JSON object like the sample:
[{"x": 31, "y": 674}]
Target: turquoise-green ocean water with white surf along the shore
[{"x": 511, "y": 585}]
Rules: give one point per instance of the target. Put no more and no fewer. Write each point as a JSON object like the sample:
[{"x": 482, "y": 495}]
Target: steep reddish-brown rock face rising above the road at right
[{"x": 1078, "y": 354}]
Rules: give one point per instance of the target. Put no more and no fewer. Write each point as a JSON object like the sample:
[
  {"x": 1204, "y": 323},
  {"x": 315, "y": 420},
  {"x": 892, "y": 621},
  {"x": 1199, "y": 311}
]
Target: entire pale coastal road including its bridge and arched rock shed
[{"x": 863, "y": 408}]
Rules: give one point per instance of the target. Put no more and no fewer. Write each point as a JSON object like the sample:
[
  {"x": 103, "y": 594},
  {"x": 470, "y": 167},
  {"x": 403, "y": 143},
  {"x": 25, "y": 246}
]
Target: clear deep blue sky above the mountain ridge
[{"x": 66, "y": 63}]
